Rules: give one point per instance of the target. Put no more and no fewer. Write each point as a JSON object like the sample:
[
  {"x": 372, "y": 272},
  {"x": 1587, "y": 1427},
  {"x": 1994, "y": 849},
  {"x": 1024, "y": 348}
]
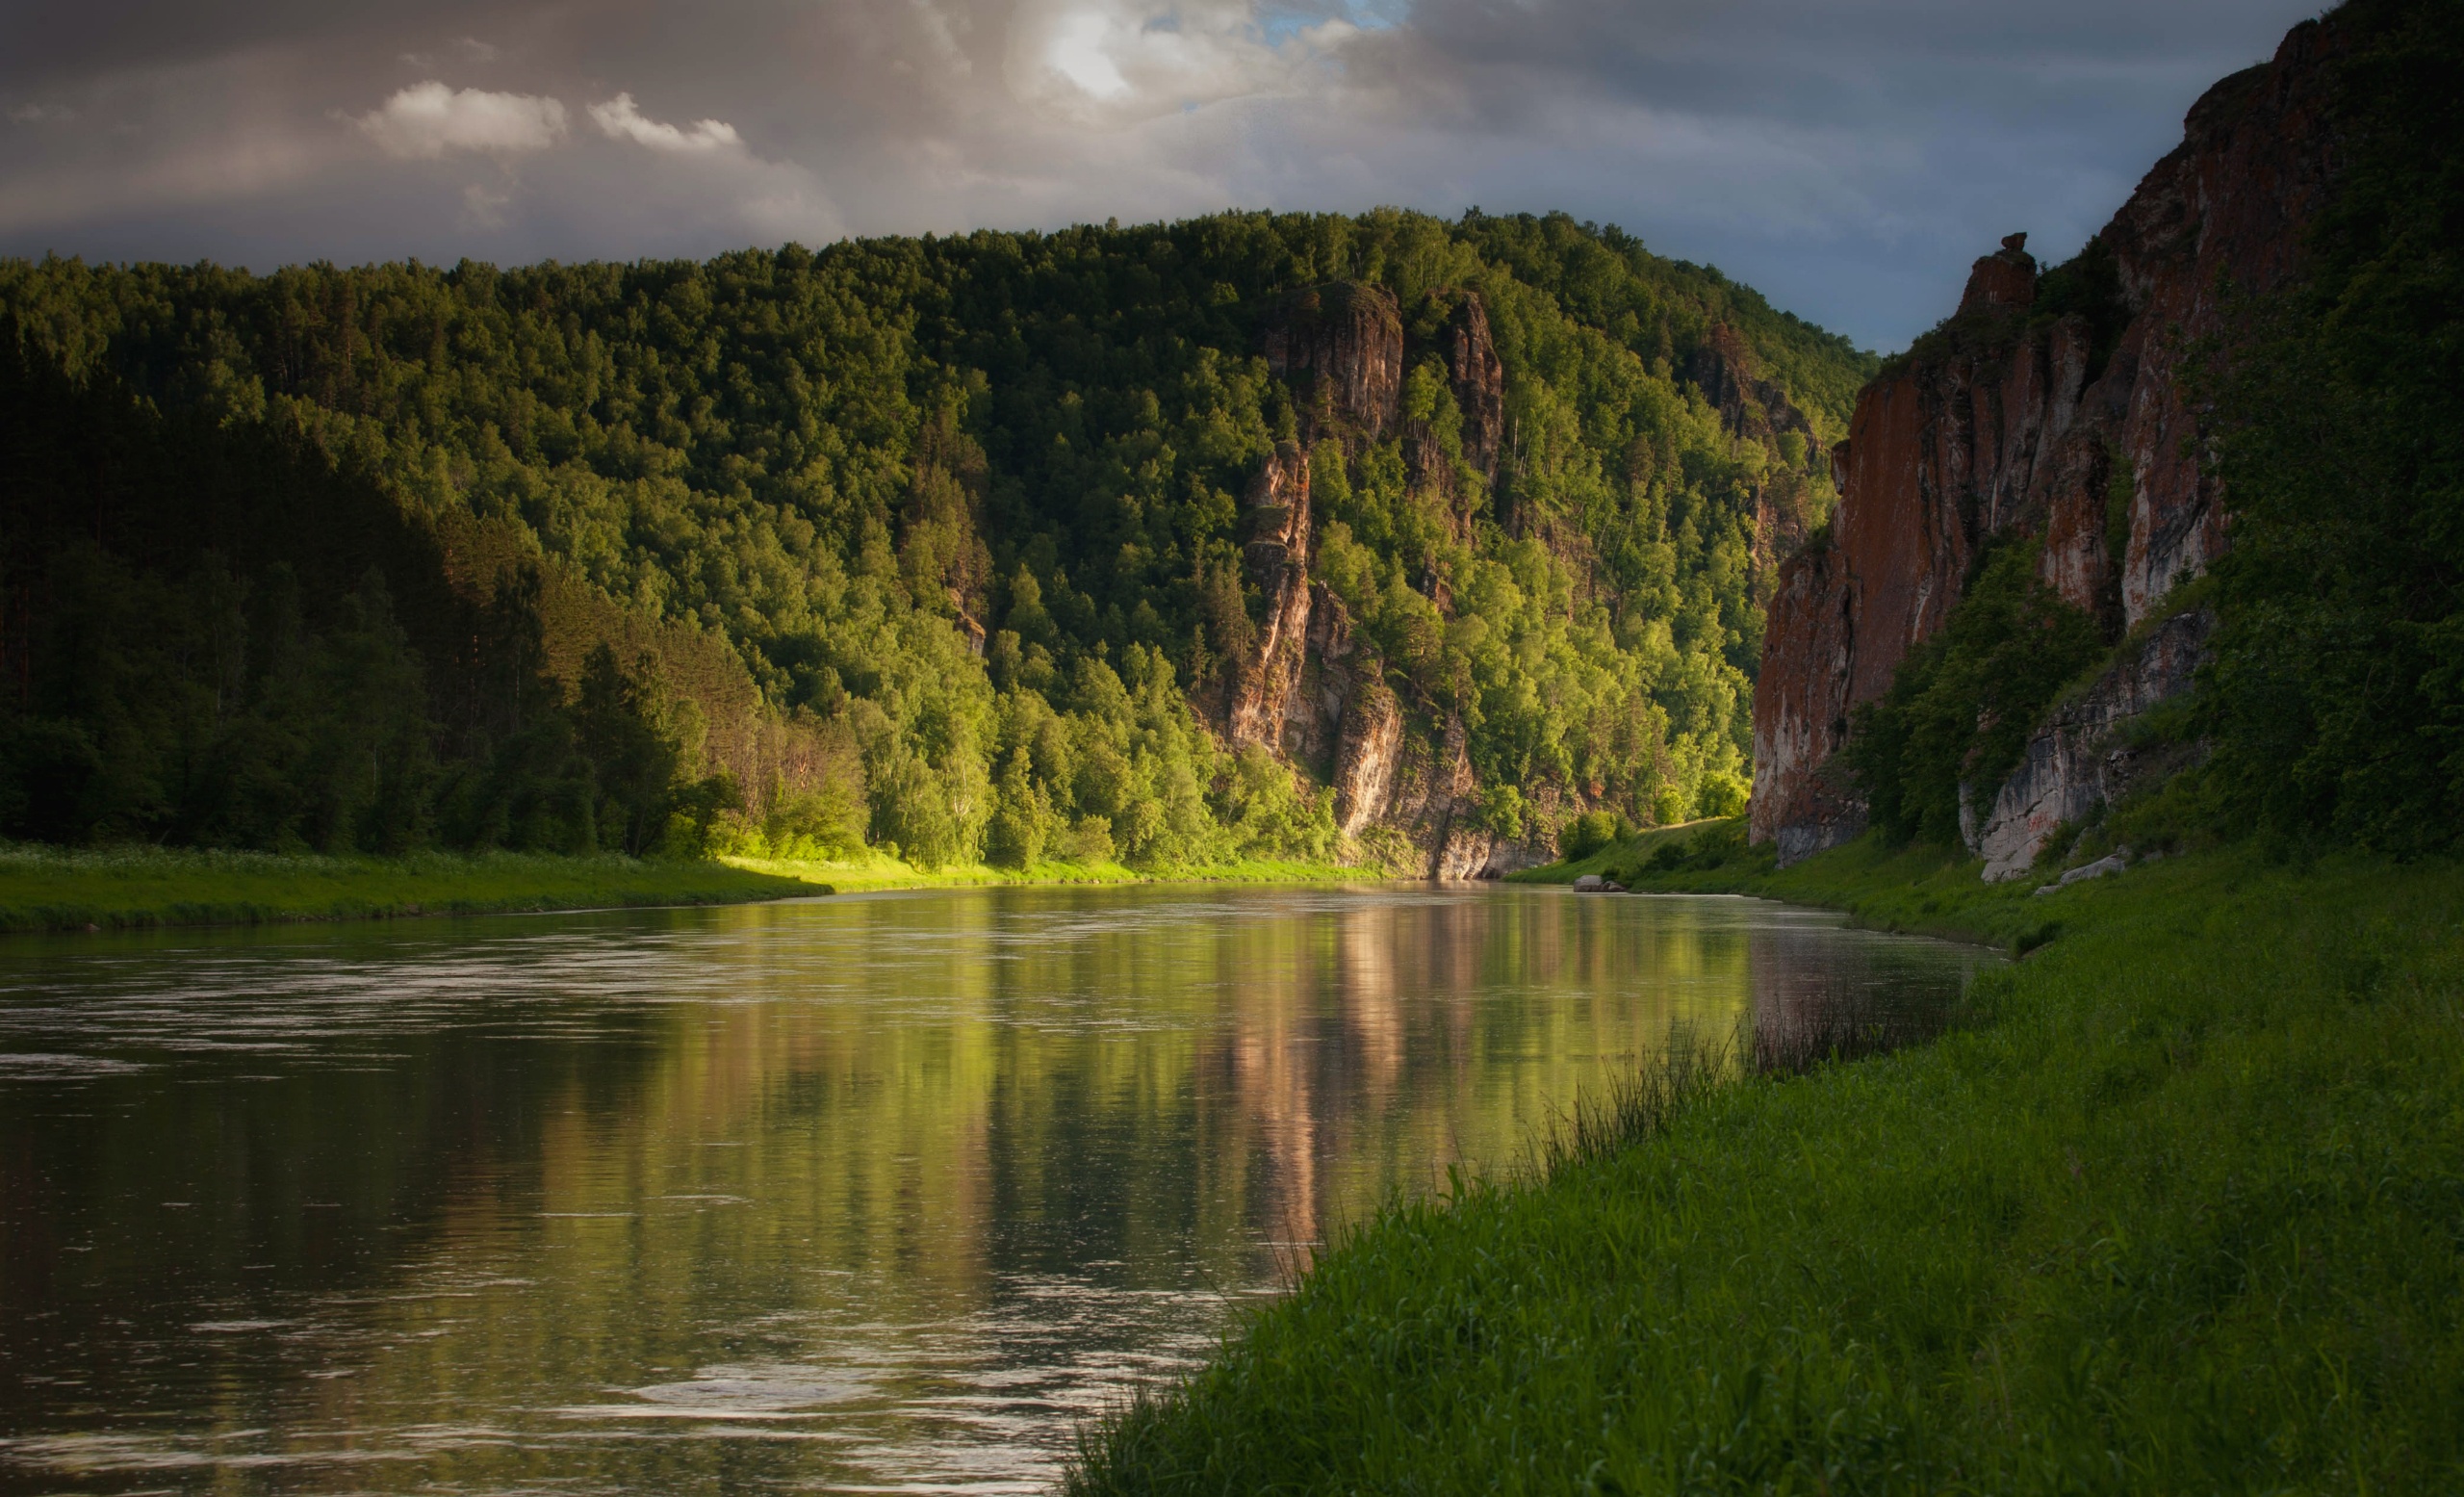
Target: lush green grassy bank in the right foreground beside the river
[{"x": 2179, "y": 1207}]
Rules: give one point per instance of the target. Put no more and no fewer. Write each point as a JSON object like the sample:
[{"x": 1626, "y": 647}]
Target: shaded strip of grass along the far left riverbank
[{"x": 117, "y": 889}]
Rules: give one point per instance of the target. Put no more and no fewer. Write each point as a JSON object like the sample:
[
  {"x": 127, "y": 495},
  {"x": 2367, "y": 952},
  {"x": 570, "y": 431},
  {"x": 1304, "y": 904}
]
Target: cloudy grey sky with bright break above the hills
[{"x": 1844, "y": 157}]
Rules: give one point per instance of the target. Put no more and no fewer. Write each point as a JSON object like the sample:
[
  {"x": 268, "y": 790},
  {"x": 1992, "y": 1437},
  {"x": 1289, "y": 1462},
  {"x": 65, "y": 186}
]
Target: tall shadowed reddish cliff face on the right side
[{"x": 2009, "y": 423}]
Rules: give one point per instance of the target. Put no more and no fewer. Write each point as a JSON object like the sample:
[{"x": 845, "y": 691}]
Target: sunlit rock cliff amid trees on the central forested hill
[{"x": 1312, "y": 692}]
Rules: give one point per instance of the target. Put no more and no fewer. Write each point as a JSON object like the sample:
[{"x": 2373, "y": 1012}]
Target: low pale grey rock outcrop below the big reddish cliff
[{"x": 2083, "y": 758}]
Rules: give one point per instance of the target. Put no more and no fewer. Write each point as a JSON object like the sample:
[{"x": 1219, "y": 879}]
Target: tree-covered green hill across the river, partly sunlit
[{"x": 942, "y": 544}]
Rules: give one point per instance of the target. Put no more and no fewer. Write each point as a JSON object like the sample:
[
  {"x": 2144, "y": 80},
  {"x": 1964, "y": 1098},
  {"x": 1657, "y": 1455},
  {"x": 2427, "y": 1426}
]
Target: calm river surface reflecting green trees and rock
[{"x": 851, "y": 1195}]
